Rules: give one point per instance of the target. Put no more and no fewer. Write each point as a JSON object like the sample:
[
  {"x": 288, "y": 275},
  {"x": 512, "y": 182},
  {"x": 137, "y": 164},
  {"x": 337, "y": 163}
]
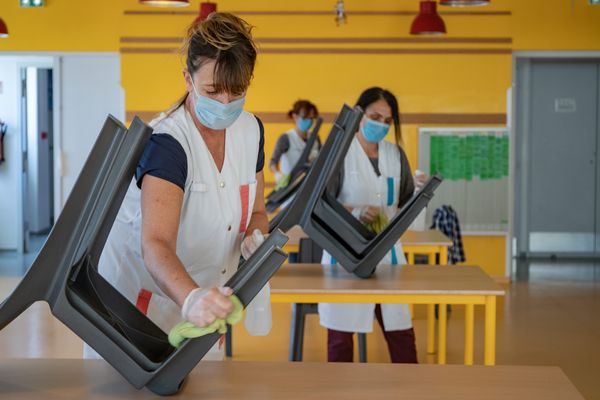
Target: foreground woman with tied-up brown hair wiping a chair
[{"x": 196, "y": 201}]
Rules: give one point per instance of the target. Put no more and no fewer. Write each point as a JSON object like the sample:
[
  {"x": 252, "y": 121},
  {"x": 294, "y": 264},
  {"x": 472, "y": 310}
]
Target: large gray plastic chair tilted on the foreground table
[{"x": 65, "y": 272}]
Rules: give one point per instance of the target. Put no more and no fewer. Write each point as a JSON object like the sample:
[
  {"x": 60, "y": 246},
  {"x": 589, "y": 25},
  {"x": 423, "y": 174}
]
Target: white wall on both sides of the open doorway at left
[{"x": 87, "y": 87}]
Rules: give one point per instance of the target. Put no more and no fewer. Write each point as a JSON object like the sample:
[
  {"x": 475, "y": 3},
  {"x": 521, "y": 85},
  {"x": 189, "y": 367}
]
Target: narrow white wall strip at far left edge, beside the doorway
[{"x": 9, "y": 170}]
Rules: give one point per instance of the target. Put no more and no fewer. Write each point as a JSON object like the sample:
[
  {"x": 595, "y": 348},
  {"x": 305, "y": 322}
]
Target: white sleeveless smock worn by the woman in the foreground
[{"x": 215, "y": 213}]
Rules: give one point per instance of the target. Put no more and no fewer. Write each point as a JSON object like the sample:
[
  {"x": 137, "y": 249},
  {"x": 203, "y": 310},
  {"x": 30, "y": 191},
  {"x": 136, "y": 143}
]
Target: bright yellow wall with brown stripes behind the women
[{"x": 426, "y": 84}]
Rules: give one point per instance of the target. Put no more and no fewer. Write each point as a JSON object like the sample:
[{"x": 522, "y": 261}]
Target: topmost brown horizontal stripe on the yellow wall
[{"x": 319, "y": 13}]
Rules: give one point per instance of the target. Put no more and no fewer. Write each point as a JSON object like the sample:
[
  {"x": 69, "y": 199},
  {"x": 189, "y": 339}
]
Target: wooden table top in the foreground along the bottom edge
[{"x": 95, "y": 379}]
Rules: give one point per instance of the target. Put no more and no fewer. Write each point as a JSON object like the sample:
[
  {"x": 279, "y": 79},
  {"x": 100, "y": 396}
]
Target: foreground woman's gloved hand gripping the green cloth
[{"x": 203, "y": 306}]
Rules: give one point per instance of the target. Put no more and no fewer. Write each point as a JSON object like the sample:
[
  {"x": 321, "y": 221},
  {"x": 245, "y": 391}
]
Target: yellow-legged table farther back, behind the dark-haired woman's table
[{"x": 431, "y": 243}]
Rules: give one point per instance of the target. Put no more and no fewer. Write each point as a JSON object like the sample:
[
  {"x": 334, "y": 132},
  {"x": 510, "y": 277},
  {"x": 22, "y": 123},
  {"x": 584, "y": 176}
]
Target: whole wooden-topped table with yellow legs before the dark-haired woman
[{"x": 470, "y": 286}]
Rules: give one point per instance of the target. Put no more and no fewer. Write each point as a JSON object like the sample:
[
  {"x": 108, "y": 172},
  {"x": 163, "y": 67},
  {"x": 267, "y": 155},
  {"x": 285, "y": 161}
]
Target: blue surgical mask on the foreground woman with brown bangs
[{"x": 216, "y": 115}]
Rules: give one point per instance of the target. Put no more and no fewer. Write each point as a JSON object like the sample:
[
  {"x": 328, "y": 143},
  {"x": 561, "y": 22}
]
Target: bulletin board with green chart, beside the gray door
[{"x": 475, "y": 165}]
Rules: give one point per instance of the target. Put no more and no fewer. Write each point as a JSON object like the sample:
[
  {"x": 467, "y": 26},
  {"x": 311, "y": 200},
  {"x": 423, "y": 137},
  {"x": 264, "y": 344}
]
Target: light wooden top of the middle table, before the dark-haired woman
[{"x": 388, "y": 279}]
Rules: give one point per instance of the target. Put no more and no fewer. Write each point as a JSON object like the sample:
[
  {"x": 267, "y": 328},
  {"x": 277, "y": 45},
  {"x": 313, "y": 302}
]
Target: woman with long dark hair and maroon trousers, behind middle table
[{"x": 375, "y": 183}]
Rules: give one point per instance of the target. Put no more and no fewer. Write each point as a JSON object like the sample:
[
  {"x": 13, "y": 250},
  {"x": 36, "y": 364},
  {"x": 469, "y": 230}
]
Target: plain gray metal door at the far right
[{"x": 562, "y": 193}]
